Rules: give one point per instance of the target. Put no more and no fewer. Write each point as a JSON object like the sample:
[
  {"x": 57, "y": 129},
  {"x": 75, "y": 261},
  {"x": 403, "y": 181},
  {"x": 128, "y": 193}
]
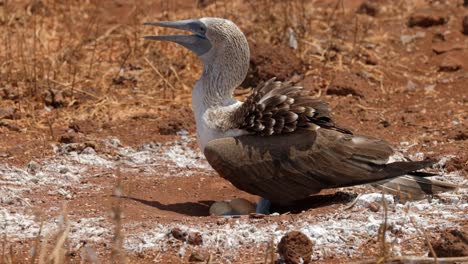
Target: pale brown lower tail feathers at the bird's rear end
[{"x": 410, "y": 187}]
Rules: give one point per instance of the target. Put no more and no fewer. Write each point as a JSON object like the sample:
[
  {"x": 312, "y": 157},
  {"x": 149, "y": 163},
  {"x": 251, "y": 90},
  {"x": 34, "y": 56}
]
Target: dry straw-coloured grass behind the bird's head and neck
[{"x": 76, "y": 59}]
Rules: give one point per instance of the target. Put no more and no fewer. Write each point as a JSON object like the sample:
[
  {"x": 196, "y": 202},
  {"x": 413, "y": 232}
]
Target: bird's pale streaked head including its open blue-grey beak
[{"x": 212, "y": 39}]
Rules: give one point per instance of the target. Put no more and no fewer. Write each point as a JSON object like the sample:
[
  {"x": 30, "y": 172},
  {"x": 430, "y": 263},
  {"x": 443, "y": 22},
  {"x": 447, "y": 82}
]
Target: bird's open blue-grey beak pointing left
[{"x": 196, "y": 42}]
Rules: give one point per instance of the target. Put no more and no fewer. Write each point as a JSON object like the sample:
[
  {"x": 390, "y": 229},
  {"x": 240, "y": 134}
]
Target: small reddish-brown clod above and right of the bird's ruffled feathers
[{"x": 346, "y": 83}]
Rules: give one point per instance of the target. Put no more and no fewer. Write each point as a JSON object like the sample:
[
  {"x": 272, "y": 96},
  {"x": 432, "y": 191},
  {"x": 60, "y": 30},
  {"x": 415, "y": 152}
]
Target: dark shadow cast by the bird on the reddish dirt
[{"x": 201, "y": 208}]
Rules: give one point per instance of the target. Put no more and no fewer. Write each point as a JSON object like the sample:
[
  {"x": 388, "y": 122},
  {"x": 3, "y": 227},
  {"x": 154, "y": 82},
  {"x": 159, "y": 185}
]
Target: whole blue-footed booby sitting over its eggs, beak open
[{"x": 280, "y": 143}]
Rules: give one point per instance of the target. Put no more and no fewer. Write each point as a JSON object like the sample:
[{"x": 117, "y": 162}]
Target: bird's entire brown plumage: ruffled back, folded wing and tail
[{"x": 308, "y": 160}]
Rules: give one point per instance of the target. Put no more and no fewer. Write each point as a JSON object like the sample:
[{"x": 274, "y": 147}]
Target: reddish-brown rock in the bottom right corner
[{"x": 452, "y": 243}]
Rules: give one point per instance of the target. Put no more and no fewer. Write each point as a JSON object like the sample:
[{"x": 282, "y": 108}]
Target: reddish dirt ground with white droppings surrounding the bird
[{"x": 97, "y": 134}]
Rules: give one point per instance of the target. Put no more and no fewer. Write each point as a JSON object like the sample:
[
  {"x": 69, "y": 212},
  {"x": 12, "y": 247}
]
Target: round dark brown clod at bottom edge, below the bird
[{"x": 295, "y": 248}]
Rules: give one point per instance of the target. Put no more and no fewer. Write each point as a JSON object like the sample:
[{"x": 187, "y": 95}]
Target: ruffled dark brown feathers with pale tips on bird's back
[{"x": 281, "y": 107}]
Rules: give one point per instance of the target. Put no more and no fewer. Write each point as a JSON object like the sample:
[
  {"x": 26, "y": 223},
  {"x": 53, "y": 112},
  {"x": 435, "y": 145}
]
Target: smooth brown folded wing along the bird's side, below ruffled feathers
[{"x": 291, "y": 166}]
